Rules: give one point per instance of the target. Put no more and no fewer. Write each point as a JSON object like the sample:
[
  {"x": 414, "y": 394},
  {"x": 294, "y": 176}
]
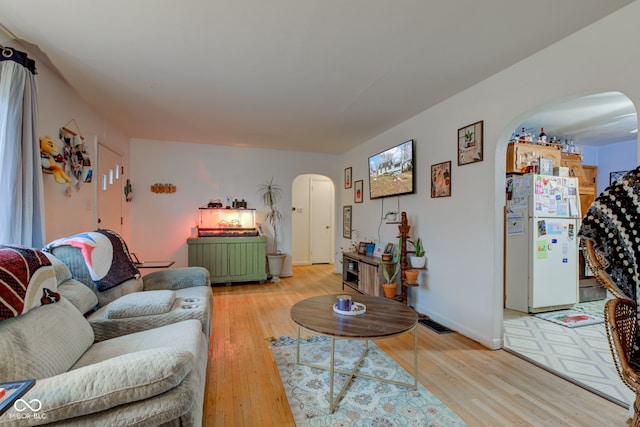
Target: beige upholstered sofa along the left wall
[{"x": 146, "y": 370}]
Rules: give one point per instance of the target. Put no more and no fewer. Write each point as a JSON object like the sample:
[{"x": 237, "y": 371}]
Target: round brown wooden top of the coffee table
[{"x": 384, "y": 317}]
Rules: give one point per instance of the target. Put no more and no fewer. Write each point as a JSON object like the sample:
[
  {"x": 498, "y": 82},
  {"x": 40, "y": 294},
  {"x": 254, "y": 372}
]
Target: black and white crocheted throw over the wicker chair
[{"x": 612, "y": 223}]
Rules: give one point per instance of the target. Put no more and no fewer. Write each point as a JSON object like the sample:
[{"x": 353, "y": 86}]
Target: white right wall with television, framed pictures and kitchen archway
[{"x": 463, "y": 287}]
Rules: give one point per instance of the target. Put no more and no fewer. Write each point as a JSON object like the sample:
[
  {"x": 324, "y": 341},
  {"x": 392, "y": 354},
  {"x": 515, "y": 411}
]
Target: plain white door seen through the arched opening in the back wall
[{"x": 320, "y": 221}]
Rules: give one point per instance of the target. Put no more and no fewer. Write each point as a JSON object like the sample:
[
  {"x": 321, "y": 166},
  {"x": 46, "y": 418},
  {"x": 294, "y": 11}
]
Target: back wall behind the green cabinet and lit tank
[{"x": 161, "y": 223}]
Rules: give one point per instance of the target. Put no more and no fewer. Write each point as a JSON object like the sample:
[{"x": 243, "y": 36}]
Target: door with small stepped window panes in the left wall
[{"x": 110, "y": 189}]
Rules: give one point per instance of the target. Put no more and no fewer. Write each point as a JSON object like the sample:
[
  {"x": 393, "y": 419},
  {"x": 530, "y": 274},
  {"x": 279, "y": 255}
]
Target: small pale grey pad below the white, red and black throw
[{"x": 140, "y": 304}]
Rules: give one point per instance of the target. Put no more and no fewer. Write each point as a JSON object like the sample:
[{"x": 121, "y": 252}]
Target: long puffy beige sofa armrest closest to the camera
[{"x": 117, "y": 381}]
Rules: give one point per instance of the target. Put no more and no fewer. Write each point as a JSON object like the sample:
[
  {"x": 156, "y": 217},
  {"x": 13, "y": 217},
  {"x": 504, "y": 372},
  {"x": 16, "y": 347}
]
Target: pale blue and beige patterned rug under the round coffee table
[{"x": 366, "y": 402}]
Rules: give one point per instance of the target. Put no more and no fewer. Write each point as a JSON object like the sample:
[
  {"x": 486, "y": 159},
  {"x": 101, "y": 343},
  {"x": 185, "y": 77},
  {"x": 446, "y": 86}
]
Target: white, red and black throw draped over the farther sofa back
[{"x": 106, "y": 255}]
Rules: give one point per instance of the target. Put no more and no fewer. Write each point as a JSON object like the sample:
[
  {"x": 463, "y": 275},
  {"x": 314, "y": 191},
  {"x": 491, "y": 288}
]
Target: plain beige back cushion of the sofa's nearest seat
[{"x": 46, "y": 341}]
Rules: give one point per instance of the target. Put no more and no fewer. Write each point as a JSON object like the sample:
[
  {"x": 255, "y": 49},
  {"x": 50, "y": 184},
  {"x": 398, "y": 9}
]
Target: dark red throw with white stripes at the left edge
[{"x": 27, "y": 280}]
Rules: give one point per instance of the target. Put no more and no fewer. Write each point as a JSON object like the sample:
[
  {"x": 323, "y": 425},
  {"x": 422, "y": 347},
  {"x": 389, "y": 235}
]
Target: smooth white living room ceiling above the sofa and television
[{"x": 309, "y": 75}]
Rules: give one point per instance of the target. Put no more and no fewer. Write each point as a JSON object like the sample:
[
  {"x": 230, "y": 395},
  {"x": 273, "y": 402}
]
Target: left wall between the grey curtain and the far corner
[{"x": 58, "y": 103}]
